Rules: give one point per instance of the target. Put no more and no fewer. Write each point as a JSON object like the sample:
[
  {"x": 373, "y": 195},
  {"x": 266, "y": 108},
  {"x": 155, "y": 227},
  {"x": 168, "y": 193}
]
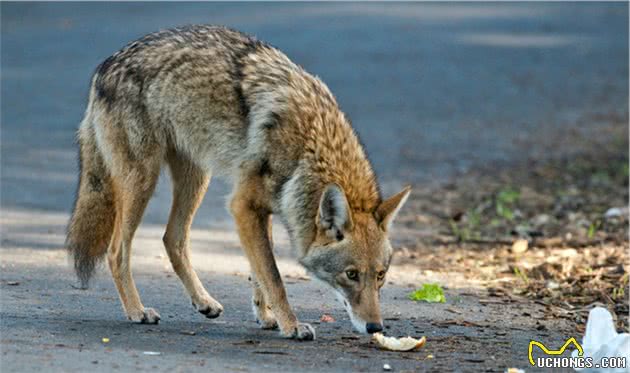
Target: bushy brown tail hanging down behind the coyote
[{"x": 92, "y": 223}]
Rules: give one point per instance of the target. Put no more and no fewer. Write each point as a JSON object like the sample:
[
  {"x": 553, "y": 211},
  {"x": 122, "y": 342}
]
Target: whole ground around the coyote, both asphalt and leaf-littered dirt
[{"x": 510, "y": 120}]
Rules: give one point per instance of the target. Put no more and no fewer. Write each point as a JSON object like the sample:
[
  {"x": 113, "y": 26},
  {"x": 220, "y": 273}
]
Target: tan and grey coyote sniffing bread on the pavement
[{"x": 210, "y": 100}]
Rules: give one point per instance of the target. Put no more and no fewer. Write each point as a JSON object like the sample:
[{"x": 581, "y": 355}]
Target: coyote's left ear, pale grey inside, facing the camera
[{"x": 333, "y": 215}]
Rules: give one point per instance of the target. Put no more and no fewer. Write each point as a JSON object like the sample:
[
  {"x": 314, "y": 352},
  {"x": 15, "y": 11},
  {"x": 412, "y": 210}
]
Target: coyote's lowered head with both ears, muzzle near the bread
[{"x": 351, "y": 253}]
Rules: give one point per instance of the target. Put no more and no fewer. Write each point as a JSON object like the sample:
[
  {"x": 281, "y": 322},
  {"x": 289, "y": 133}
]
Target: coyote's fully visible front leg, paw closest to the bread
[{"x": 252, "y": 224}]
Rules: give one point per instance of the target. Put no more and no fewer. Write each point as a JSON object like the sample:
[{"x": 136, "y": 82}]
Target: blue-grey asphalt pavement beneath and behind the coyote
[{"x": 432, "y": 89}]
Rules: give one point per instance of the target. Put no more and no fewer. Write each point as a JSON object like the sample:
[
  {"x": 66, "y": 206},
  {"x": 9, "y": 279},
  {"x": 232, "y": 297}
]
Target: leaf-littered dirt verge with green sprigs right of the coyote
[{"x": 570, "y": 214}]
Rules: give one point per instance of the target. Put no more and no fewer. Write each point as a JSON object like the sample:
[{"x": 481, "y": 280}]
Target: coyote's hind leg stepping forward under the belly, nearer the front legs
[{"x": 189, "y": 186}]
